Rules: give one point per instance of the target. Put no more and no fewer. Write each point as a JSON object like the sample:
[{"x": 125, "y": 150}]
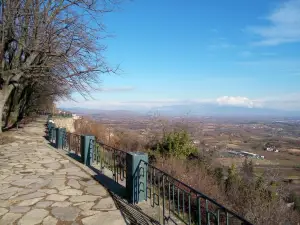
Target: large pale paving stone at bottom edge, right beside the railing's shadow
[{"x": 106, "y": 218}]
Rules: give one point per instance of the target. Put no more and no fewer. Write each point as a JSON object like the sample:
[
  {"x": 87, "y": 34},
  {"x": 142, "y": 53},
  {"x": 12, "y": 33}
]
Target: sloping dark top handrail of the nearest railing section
[{"x": 198, "y": 193}]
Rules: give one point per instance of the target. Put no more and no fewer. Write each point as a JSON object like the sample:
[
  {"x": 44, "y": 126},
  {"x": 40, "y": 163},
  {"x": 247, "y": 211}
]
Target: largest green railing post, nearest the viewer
[{"x": 136, "y": 176}]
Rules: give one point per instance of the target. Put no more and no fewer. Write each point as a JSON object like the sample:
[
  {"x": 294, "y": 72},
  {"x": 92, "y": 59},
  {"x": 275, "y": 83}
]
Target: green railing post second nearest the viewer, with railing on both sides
[{"x": 86, "y": 149}]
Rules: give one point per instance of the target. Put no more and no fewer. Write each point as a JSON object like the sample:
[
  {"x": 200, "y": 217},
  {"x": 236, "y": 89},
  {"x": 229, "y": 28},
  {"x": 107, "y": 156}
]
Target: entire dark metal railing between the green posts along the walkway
[{"x": 178, "y": 202}]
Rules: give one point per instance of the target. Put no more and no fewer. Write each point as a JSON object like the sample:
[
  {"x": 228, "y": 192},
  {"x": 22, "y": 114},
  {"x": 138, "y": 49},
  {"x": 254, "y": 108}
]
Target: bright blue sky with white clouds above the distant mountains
[{"x": 234, "y": 52}]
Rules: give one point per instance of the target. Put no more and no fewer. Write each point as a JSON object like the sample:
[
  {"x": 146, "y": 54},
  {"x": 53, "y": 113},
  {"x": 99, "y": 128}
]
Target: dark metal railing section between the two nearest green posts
[{"x": 110, "y": 158}]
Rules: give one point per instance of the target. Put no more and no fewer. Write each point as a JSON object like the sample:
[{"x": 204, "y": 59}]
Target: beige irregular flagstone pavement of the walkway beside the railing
[{"x": 40, "y": 186}]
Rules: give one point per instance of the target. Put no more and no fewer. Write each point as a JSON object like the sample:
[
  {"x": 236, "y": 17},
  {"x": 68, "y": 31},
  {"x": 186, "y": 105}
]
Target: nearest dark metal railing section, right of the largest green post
[{"x": 182, "y": 204}]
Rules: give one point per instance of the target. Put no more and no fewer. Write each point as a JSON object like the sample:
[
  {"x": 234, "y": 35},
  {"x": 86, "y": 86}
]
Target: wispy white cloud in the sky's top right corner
[{"x": 284, "y": 24}]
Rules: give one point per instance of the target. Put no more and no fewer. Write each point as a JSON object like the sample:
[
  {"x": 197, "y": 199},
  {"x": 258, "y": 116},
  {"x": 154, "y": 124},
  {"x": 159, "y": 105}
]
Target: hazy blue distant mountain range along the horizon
[{"x": 199, "y": 109}]
